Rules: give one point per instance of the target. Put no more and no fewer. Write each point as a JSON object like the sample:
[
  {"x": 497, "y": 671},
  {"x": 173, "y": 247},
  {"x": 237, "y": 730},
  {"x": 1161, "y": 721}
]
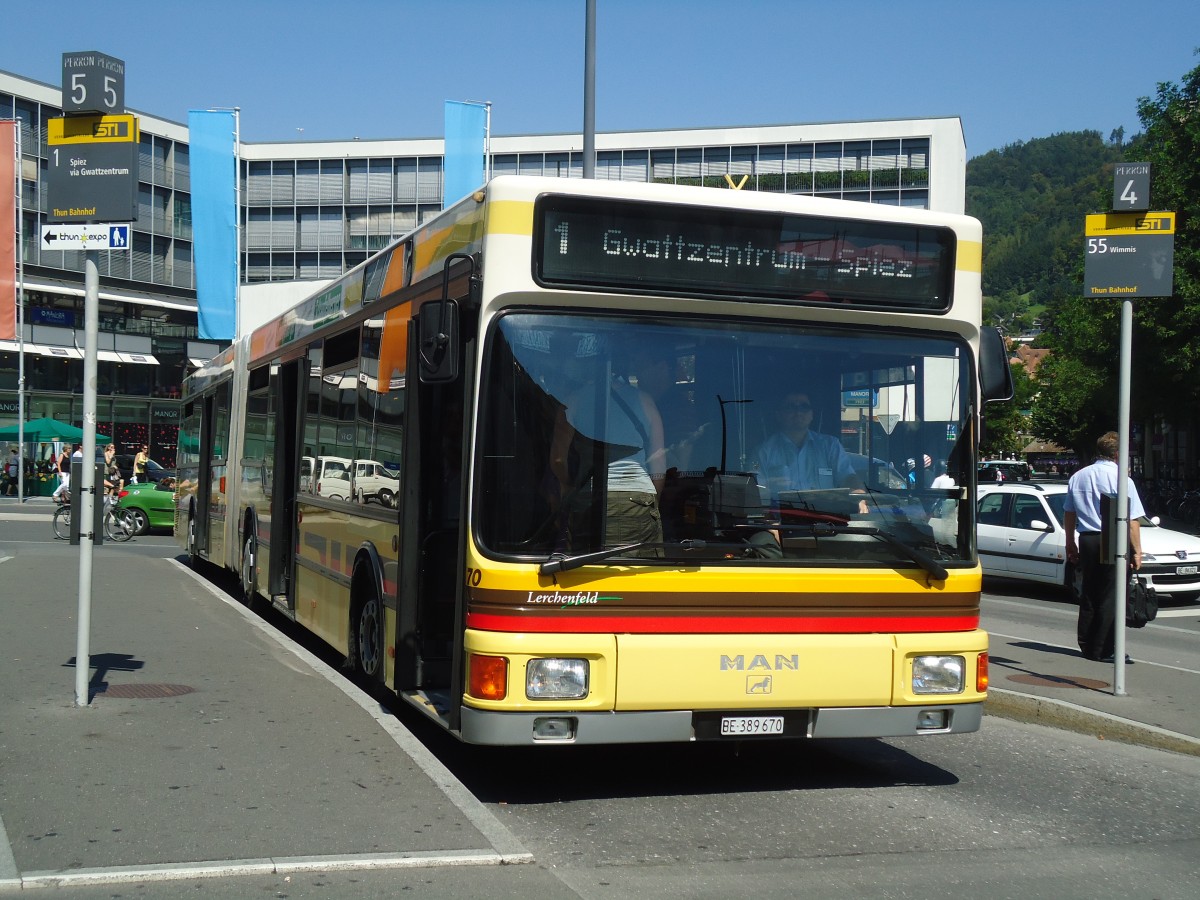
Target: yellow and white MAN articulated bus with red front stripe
[{"x": 597, "y": 463}]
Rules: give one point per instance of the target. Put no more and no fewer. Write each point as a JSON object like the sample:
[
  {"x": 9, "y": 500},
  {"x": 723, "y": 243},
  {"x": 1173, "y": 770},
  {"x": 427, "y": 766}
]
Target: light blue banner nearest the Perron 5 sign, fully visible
[{"x": 214, "y": 163}]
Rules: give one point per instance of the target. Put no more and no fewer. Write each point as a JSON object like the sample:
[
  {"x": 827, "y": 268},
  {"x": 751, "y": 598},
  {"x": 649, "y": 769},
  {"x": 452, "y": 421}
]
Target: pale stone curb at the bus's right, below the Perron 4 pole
[{"x": 1082, "y": 721}]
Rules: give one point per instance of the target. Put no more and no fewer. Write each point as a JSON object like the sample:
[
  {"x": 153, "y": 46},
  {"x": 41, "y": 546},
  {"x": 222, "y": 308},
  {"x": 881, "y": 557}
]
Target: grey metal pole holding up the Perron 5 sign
[{"x": 87, "y": 490}]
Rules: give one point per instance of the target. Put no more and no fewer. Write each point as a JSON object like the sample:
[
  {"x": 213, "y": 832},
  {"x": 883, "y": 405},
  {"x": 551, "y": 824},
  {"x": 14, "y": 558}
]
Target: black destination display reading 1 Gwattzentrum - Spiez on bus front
[{"x": 682, "y": 250}]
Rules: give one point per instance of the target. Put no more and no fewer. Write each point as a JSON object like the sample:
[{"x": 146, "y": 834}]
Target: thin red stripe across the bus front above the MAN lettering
[{"x": 723, "y": 625}]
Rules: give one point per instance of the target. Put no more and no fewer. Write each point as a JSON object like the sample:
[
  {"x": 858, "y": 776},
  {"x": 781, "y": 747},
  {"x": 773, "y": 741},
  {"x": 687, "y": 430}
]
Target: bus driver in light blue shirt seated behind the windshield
[{"x": 799, "y": 459}]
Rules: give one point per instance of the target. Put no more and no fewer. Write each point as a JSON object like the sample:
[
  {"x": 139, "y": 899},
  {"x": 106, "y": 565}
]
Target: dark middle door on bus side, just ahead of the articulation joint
[{"x": 287, "y": 401}]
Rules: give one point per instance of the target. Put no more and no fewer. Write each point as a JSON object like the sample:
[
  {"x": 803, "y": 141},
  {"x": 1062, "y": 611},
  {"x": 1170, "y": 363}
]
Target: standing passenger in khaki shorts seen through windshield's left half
[{"x": 632, "y": 451}]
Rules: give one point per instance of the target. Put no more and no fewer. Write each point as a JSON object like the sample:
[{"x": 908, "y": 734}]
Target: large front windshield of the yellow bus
[{"x": 724, "y": 442}]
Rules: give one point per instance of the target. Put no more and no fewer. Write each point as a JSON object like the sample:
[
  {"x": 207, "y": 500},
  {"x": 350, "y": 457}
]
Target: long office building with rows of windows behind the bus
[{"x": 311, "y": 211}]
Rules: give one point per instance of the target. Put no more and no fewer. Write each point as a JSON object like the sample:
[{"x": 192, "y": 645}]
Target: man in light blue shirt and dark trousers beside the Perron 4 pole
[{"x": 1082, "y": 513}]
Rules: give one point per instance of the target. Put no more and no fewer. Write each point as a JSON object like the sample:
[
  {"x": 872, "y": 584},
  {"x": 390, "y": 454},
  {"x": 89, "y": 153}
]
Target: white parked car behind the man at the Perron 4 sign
[{"x": 1021, "y": 536}]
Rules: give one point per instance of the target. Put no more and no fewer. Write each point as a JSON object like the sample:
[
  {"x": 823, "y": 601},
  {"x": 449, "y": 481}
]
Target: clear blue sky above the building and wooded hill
[{"x": 1012, "y": 70}]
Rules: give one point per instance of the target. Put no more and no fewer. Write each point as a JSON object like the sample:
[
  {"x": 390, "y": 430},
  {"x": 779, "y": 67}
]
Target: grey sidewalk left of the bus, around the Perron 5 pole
[{"x": 212, "y": 745}]
